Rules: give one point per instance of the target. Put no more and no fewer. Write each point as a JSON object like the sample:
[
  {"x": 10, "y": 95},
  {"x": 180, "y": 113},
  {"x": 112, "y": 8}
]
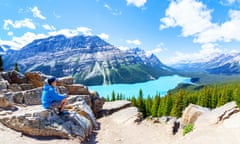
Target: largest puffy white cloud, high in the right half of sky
[{"x": 191, "y": 15}]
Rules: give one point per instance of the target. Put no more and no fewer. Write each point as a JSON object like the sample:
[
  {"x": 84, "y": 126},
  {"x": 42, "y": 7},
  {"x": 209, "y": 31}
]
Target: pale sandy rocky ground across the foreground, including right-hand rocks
[{"x": 123, "y": 126}]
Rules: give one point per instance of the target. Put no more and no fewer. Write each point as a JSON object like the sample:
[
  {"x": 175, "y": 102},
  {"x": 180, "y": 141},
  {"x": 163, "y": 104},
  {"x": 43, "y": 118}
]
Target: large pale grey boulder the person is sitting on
[{"x": 35, "y": 121}]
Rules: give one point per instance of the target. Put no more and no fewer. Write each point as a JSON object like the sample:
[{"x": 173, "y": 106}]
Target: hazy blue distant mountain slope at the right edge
[{"x": 222, "y": 64}]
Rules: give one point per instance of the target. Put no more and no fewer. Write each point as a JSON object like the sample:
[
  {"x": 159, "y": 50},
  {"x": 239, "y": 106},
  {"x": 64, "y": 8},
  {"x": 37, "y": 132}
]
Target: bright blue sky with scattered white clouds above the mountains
[{"x": 174, "y": 30}]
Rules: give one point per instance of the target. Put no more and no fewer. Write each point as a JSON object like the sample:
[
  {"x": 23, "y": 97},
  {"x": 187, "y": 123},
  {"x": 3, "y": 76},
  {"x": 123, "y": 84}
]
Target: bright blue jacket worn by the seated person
[{"x": 50, "y": 95}]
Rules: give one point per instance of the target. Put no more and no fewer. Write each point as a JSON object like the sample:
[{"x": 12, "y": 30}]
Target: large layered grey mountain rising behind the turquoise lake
[{"x": 91, "y": 60}]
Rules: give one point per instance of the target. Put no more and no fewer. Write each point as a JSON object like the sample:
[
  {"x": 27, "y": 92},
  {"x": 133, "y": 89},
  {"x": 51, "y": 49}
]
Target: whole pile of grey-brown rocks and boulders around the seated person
[{"x": 21, "y": 110}]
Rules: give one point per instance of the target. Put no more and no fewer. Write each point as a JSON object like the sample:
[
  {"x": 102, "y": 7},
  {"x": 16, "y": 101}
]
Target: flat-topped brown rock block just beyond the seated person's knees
[{"x": 77, "y": 89}]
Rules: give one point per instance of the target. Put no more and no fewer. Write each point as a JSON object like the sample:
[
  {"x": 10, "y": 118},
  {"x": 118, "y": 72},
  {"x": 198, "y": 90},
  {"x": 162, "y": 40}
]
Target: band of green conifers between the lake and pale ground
[{"x": 175, "y": 102}]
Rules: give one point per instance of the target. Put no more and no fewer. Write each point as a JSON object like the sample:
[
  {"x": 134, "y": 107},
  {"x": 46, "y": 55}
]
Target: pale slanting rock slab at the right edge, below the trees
[{"x": 217, "y": 115}]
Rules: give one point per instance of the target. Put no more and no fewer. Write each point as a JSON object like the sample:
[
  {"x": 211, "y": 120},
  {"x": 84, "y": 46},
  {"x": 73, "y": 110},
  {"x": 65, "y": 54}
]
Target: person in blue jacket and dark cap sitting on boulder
[{"x": 51, "y": 99}]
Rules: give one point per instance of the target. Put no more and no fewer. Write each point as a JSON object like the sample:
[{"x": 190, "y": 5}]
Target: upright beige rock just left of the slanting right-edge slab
[{"x": 191, "y": 114}]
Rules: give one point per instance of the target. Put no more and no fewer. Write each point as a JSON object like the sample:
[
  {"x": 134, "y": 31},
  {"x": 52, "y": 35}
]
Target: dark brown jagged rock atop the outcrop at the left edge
[{"x": 14, "y": 77}]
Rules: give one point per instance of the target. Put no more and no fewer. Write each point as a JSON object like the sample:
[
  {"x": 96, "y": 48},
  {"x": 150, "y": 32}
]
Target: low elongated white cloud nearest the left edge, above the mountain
[{"x": 19, "y": 24}]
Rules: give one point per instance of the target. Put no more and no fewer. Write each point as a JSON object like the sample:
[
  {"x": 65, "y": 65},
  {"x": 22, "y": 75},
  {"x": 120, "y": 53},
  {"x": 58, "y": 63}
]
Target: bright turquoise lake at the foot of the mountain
[{"x": 161, "y": 85}]
